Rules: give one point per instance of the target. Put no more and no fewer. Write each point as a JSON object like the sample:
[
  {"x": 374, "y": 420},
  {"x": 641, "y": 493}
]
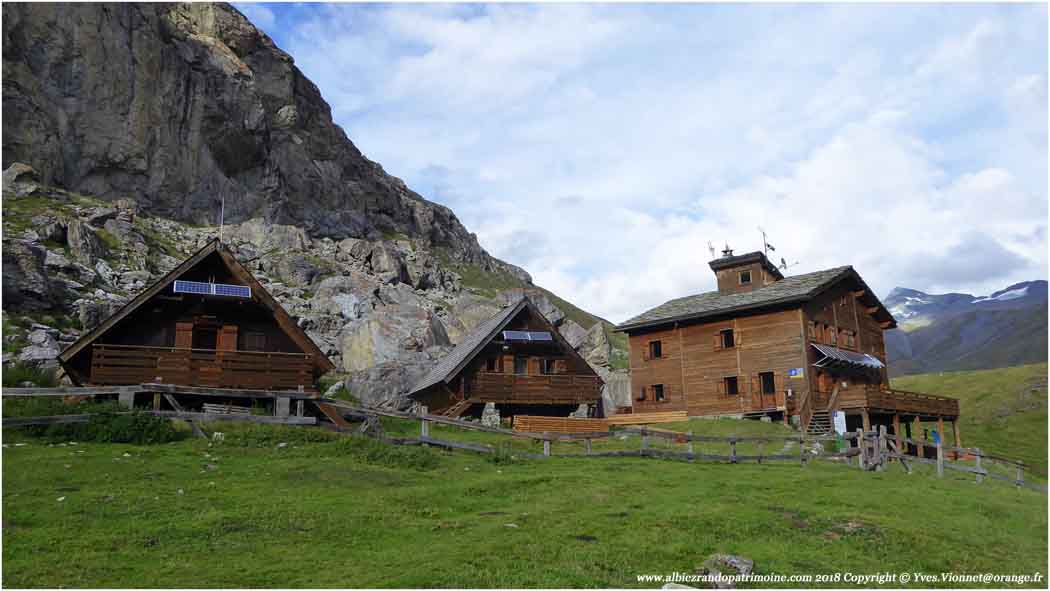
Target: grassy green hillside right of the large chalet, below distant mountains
[{"x": 1001, "y": 411}]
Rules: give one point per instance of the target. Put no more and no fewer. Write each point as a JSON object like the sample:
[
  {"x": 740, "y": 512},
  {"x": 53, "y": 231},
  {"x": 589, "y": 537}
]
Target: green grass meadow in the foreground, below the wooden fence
[{"x": 339, "y": 513}]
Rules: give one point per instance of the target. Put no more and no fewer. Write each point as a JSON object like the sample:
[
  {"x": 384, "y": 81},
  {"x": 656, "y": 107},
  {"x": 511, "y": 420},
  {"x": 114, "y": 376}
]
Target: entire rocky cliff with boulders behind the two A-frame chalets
[{"x": 127, "y": 128}]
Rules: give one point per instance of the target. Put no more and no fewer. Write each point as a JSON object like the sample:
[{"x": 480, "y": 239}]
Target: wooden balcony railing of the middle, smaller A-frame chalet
[{"x": 559, "y": 389}]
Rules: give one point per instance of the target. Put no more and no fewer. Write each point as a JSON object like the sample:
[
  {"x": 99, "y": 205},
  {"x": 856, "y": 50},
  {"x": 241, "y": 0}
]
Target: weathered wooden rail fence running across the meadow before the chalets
[{"x": 874, "y": 450}]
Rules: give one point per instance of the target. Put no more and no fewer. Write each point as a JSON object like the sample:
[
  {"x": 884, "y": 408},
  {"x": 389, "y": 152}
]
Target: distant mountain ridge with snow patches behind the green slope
[{"x": 953, "y": 332}]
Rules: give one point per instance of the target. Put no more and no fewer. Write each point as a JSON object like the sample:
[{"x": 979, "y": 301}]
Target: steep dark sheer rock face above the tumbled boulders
[{"x": 184, "y": 105}]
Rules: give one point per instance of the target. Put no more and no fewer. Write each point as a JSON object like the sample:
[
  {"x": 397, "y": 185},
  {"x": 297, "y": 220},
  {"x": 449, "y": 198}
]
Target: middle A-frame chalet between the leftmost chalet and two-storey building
[{"x": 517, "y": 361}]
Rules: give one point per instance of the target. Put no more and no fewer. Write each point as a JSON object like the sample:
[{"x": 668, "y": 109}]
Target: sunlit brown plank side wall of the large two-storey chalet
[{"x": 694, "y": 366}]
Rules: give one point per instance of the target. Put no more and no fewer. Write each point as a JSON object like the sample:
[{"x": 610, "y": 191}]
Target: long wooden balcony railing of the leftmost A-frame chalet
[{"x": 116, "y": 365}]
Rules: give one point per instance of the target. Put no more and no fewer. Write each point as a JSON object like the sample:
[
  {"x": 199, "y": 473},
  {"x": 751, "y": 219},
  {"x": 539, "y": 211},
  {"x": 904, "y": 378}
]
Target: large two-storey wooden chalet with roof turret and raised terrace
[{"x": 765, "y": 345}]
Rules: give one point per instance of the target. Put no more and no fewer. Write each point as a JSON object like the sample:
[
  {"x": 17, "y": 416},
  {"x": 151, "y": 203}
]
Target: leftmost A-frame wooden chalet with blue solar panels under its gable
[{"x": 208, "y": 323}]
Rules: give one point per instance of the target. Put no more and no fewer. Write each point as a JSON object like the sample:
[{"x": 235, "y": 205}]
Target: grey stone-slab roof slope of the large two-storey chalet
[{"x": 789, "y": 290}]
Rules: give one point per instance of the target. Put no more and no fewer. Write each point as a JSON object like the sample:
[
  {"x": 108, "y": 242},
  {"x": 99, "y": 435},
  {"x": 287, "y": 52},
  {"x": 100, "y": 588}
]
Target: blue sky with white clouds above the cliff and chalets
[{"x": 603, "y": 147}]
